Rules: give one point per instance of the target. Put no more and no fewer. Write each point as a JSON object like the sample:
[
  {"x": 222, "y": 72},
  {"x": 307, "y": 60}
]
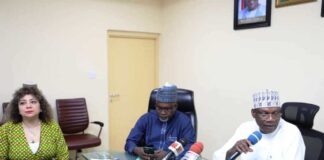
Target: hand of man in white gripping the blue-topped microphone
[{"x": 240, "y": 146}]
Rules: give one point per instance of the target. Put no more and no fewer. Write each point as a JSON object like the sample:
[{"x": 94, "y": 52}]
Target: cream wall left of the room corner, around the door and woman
[{"x": 57, "y": 43}]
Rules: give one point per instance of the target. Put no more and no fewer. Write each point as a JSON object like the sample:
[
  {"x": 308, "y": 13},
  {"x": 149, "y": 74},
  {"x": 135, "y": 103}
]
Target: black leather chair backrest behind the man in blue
[{"x": 185, "y": 99}]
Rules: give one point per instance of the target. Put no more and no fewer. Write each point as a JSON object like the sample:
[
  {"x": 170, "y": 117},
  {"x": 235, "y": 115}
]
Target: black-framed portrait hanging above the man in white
[{"x": 252, "y": 13}]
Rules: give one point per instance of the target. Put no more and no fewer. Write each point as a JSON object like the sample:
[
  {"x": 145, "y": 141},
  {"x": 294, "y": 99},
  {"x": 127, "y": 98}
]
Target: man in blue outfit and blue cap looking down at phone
[{"x": 161, "y": 127}]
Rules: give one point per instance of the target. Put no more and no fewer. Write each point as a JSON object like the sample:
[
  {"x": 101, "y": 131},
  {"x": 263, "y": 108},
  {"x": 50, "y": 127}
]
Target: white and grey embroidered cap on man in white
[{"x": 266, "y": 98}]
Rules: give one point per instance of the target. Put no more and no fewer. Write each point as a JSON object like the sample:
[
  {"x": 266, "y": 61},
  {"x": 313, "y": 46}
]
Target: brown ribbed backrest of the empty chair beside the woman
[{"x": 72, "y": 115}]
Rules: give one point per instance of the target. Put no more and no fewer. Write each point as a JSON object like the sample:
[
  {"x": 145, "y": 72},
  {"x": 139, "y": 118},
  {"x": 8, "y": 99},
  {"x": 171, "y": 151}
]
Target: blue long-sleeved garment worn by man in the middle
[{"x": 160, "y": 134}]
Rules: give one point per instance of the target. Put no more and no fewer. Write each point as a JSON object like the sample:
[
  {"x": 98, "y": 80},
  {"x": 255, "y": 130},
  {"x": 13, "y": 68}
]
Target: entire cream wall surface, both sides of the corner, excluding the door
[{"x": 57, "y": 43}]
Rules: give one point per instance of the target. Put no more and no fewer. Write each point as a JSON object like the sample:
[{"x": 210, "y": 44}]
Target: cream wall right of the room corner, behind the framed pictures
[{"x": 201, "y": 51}]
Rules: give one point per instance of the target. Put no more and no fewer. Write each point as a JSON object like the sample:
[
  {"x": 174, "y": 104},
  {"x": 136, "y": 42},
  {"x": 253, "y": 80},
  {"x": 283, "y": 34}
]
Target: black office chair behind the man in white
[{"x": 302, "y": 115}]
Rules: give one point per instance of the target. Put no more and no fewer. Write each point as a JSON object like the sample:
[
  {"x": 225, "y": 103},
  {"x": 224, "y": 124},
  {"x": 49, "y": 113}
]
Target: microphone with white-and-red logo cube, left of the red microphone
[{"x": 175, "y": 149}]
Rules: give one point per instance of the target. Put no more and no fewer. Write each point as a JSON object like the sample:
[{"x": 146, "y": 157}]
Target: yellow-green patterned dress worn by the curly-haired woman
[{"x": 13, "y": 144}]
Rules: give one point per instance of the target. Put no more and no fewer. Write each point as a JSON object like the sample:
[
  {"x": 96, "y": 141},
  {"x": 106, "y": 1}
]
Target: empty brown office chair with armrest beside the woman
[{"x": 73, "y": 119}]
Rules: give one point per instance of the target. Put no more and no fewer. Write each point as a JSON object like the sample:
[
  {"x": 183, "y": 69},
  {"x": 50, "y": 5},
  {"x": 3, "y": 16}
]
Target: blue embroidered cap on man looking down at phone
[{"x": 167, "y": 93}]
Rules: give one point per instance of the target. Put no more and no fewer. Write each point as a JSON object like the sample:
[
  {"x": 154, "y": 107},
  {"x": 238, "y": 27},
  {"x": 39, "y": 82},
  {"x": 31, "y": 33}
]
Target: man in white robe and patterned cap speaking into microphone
[{"x": 280, "y": 139}]
